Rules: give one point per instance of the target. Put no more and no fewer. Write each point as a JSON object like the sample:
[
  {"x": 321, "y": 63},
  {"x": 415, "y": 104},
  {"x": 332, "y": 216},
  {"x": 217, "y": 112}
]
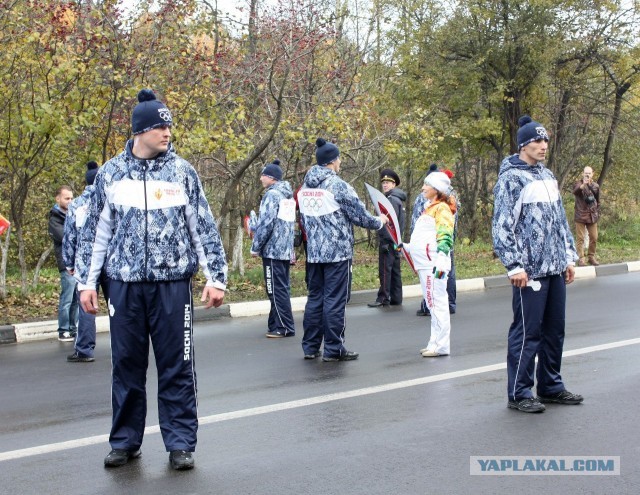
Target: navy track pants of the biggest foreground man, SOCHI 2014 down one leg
[{"x": 163, "y": 313}]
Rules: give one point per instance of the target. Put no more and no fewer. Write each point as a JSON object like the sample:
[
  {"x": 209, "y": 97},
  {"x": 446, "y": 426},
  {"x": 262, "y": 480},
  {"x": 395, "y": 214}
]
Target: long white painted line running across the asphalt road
[{"x": 283, "y": 406}]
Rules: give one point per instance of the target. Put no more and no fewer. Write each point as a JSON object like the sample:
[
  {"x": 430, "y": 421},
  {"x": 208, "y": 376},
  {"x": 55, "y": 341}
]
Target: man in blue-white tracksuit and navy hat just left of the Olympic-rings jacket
[{"x": 273, "y": 241}]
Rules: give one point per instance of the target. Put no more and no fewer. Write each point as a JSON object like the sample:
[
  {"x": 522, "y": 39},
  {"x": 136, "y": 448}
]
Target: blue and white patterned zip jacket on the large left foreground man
[{"x": 150, "y": 221}]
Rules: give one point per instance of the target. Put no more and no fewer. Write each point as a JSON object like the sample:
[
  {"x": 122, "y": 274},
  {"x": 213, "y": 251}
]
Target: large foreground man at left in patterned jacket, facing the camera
[{"x": 151, "y": 226}]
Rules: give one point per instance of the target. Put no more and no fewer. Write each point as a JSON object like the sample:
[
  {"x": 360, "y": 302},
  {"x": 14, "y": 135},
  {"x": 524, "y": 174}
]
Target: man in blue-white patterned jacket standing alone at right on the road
[{"x": 533, "y": 240}]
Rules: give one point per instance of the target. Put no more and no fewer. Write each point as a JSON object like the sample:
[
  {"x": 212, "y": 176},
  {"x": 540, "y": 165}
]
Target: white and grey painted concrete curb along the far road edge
[{"x": 42, "y": 330}]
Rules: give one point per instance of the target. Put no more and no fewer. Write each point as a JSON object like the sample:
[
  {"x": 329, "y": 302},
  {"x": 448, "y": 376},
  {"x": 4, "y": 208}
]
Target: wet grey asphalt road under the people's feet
[{"x": 390, "y": 423}]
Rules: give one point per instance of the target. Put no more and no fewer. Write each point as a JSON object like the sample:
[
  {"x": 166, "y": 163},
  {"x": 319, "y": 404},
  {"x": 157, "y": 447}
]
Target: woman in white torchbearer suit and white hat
[{"x": 430, "y": 244}]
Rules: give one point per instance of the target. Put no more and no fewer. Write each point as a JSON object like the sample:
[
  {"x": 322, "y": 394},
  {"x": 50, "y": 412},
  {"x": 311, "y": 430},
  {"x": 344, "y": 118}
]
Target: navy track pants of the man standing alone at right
[{"x": 537, "y": 329}]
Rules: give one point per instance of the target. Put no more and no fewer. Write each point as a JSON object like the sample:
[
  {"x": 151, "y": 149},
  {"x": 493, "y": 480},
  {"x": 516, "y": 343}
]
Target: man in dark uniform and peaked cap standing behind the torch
[{"x": 390, "y": 292}]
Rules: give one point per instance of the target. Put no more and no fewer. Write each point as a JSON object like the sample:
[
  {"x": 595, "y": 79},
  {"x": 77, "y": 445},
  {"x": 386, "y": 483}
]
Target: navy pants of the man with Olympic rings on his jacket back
[{"x": 324, "y": 314}]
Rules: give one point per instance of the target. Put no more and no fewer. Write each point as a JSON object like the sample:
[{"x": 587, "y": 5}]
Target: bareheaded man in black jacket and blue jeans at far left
[{"x": 68, "y": 305}]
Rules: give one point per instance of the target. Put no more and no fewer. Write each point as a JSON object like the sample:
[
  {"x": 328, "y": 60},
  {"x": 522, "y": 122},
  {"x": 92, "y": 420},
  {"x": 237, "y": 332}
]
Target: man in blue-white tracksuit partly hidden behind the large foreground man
[{"x": 85, "y": 342}]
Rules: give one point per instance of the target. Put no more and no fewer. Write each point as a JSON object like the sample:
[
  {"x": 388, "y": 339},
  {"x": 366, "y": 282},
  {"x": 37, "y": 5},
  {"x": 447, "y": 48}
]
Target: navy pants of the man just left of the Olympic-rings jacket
[{"x": 276, "y": 278}]
